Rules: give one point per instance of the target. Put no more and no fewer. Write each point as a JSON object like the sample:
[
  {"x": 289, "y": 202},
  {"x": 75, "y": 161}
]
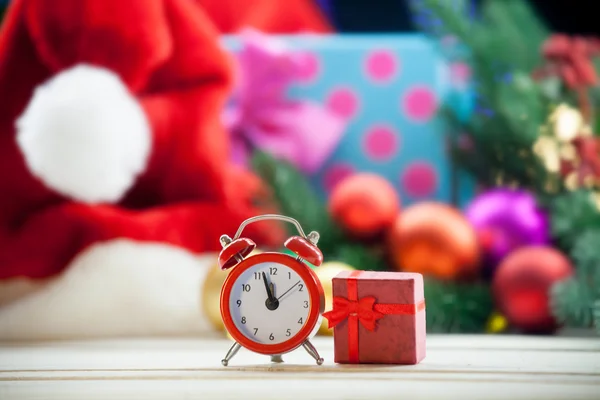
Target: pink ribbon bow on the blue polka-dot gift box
[{"x": 262, "y": 116}]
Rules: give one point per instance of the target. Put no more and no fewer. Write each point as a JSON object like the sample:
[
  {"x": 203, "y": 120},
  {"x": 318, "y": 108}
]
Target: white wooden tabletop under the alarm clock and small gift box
[{"x": 456, "y": 367}]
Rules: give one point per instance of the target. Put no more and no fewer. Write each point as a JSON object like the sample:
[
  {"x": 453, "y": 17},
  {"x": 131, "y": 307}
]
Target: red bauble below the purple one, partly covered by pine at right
[{"x": 521, "y": 286}]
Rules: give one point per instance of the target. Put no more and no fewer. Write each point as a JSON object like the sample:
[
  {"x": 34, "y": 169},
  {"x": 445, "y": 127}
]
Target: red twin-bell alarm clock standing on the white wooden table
[{"x": 271, "y": 303}]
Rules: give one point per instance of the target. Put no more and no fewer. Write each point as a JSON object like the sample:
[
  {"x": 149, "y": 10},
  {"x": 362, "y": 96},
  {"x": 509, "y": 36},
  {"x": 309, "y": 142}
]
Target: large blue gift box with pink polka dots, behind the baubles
[{"x": 389, "y": 88}]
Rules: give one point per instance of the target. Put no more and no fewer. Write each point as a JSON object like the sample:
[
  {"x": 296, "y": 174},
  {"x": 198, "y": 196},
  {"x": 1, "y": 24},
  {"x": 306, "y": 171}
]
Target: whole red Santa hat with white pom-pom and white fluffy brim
[{"x": 113, "y": 167}]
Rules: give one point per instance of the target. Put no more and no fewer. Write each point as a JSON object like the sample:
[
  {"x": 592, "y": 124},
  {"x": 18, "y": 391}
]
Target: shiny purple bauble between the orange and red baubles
[{"x": 506, "y": 219}]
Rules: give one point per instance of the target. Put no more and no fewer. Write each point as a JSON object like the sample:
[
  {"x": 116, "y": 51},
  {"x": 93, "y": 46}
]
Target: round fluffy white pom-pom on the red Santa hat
[{"x": 84, "y": 135}]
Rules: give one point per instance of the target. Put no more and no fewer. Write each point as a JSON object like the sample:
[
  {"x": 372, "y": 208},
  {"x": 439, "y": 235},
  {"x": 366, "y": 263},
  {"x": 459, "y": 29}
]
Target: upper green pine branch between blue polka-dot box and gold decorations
[{"x": 503, "y": 49}]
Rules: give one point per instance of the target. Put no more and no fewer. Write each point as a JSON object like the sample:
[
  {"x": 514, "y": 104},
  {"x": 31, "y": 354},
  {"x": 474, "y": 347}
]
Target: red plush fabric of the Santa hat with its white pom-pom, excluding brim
[{"x": 110, "y": 127}]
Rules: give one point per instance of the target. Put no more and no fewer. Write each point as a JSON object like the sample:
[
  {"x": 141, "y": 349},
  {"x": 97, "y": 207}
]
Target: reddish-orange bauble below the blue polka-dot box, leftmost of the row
[{"x": 364, "y": 204}]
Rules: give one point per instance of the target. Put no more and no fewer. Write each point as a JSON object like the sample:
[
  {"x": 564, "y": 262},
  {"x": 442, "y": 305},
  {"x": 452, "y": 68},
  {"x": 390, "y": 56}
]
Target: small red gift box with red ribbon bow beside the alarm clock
[{"x": 378, "y": 317}]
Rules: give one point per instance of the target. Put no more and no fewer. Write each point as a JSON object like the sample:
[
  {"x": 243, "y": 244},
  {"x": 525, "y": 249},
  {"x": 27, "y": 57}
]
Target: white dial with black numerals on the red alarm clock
[{"x": 263, "y": 320}]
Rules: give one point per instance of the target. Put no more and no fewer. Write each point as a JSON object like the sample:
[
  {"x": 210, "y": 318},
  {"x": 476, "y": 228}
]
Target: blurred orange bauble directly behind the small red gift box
[{"x": 434, "y": 239}]
